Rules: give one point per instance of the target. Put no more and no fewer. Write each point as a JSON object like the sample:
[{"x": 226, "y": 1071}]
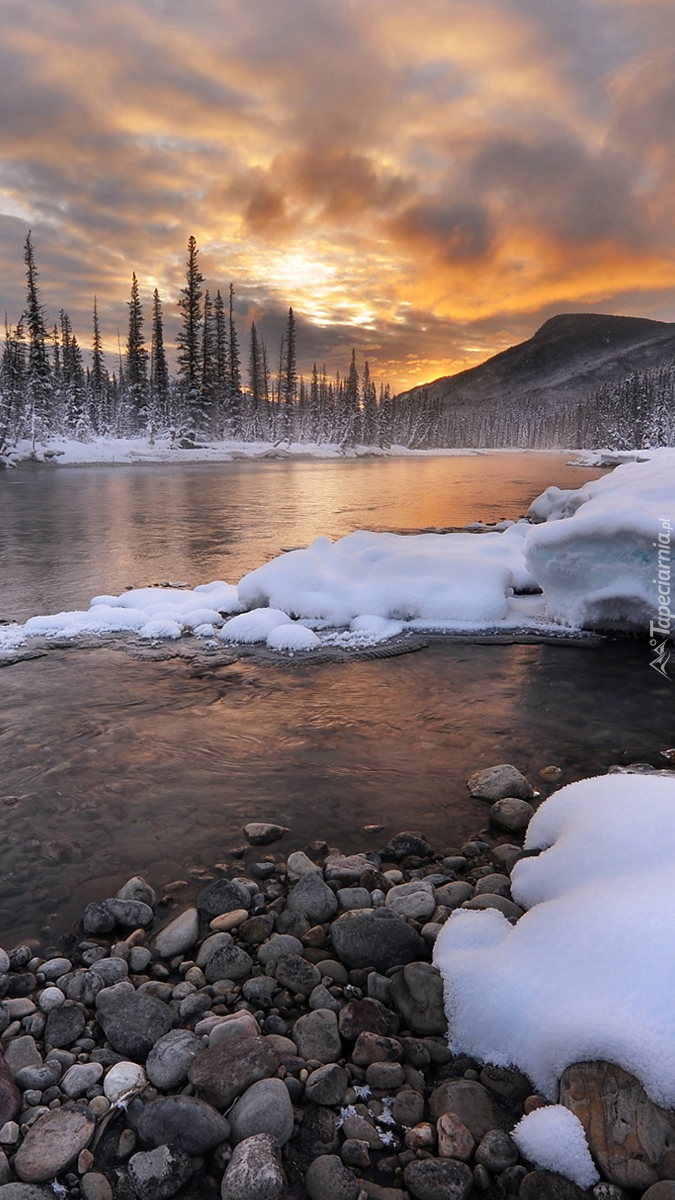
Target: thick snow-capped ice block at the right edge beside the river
[{"x": 598, "y": 555}]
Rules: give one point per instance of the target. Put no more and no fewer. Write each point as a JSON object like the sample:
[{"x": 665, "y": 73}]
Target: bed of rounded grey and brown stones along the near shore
[{"x": 286, "y": 1039}]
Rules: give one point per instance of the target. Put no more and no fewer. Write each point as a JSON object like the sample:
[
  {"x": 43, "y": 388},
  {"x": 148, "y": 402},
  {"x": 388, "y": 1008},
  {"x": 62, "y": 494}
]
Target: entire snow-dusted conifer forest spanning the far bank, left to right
[{"x": 49, "y": 391}]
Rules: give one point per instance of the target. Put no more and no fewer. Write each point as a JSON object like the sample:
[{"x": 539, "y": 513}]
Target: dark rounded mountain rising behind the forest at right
[{"x": 566, "y": 361}]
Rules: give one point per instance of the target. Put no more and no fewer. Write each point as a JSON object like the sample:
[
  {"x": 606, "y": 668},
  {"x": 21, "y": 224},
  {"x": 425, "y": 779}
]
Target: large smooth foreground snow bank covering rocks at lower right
[{"x": 588, "y": 973}]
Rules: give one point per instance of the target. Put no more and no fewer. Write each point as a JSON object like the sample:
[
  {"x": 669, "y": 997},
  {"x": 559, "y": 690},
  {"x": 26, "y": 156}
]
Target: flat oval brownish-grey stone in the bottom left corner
[{"x": 53, "y": 1144}]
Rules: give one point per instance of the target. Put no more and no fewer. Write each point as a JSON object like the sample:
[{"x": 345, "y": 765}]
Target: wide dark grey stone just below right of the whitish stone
[{"x": 183, "y": 1123}]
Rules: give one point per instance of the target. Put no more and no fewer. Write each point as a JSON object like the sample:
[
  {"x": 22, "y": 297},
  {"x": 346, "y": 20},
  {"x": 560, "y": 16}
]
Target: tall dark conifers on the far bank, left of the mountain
[{"x": 49, "y": 389}]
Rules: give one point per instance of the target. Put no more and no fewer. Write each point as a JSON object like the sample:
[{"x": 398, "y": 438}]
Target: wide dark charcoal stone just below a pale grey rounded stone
[{"x": 377, "y": 938}]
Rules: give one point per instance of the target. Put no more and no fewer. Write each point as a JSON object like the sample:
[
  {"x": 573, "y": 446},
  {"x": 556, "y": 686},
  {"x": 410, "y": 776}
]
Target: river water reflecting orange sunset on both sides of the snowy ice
[{"x": 111, "y": 766}]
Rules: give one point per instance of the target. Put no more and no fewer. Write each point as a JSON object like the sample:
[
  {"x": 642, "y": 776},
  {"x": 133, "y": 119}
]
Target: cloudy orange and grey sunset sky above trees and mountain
[{"x": 425, "y": 181}]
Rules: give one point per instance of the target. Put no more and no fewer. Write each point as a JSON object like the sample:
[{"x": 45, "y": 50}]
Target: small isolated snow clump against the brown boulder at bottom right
[{"x": 555, "y": 1141}]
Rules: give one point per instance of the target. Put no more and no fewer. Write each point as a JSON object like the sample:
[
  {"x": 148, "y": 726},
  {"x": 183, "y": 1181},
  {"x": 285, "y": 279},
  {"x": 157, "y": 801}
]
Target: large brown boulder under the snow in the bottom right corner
[{"x": 630, "y": 1137}]
